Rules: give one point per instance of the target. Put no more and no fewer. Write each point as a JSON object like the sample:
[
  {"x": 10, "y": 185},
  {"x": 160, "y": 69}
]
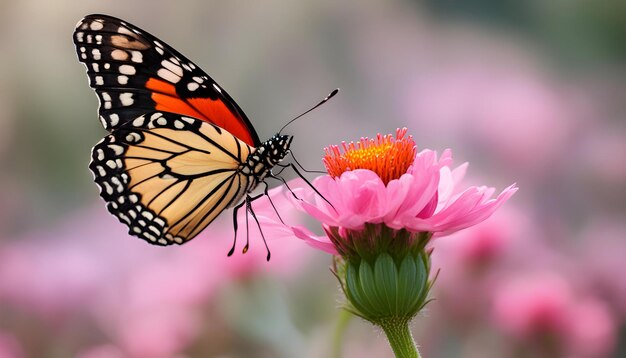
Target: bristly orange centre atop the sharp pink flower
[{"x": 387, "y": 156}]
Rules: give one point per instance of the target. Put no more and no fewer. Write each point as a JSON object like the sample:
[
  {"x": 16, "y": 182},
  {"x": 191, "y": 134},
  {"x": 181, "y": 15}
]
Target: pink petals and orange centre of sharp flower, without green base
[{"x": 424, "y": 197}]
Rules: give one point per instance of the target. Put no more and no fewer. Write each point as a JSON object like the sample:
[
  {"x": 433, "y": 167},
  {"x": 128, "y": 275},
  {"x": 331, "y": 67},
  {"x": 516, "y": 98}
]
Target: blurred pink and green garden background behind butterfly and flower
[{"x": 532, "y": 92}]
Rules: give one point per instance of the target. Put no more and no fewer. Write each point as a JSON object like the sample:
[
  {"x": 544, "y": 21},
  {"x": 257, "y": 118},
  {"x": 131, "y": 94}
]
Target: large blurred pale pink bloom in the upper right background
[{"x": 498, "y": 108}]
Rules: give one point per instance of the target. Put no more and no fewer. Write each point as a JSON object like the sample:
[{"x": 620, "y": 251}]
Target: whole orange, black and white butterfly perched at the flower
[{"x": 179, "y": 149}]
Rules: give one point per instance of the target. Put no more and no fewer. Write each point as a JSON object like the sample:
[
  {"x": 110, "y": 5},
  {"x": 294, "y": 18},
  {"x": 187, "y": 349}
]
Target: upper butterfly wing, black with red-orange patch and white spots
[{"x": 134, "y": 73}]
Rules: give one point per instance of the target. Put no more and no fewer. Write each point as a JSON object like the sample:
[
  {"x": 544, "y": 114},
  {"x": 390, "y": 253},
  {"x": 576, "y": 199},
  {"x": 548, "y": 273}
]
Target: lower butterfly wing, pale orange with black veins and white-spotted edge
[{"x": 167, "y": 176}]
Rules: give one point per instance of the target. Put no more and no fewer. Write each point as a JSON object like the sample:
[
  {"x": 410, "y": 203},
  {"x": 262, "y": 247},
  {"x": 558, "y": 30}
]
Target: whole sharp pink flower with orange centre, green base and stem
[{"x": 380, "y": 205}]
